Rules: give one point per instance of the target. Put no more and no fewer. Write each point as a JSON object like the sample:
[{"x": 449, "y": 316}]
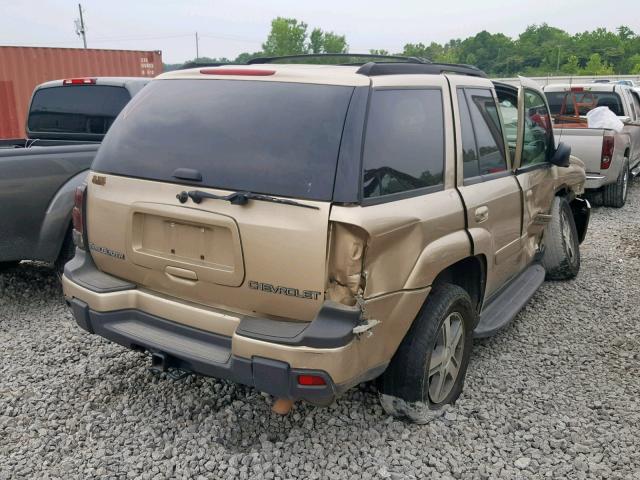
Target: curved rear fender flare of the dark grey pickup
[{"x": 57, "y": 219}]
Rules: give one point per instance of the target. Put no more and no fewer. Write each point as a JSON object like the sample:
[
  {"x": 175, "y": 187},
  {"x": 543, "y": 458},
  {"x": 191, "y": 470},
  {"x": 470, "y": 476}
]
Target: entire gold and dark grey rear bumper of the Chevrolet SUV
[{"x": 263, "y": 353}]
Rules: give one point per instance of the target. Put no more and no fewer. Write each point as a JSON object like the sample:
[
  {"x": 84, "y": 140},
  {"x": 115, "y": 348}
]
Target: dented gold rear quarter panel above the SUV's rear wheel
[{"x": 409, "y": 241}]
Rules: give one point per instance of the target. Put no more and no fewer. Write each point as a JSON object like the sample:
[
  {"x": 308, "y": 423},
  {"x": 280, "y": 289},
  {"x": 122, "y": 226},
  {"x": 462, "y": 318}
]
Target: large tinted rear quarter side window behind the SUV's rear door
[{"x": 404, "y": 143}]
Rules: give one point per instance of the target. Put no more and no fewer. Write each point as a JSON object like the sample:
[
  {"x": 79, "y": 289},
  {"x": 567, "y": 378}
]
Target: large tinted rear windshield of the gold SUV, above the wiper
[{"x": 242, "y": 135}]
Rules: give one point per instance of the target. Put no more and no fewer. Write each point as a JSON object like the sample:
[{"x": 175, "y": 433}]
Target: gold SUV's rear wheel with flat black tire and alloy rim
[{"x": 428, "y": 369}]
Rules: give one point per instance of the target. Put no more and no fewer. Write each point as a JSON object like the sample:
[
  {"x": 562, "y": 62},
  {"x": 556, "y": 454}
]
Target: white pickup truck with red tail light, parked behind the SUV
[{"x": 610, "y": 157}]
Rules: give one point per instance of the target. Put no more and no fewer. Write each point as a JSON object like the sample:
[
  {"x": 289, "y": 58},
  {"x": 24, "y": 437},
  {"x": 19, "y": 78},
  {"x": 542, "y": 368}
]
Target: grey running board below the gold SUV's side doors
[{"x": 503, "y": 308}]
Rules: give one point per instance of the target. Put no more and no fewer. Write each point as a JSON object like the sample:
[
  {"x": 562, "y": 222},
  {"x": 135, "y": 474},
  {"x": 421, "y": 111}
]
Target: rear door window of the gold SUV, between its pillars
[{"x": 487, "y": 131}]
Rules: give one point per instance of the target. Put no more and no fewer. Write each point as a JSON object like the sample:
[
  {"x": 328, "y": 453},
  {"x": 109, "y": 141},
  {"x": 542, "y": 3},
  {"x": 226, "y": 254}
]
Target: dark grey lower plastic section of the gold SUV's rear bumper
[{"x": 201, "y": 352}]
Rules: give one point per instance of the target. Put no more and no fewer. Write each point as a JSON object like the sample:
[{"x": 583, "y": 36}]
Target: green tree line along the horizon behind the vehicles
[{"x": 539, "y": 50}]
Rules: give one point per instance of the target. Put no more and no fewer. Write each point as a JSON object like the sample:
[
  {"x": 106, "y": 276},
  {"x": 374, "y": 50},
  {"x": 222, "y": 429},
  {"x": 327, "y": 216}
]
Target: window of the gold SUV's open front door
[{"x": 538, "y": 131}]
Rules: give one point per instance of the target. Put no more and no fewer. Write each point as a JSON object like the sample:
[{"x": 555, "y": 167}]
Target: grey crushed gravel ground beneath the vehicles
[{"x": 553, "y": 396}]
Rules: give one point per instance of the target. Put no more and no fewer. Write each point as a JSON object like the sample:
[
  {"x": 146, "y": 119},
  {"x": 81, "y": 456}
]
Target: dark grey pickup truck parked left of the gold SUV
[{"x": 39, "y": 174}]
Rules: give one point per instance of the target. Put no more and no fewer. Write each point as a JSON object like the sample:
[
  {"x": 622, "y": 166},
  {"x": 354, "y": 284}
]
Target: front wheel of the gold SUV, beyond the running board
[{"x": 561, "y": 258}]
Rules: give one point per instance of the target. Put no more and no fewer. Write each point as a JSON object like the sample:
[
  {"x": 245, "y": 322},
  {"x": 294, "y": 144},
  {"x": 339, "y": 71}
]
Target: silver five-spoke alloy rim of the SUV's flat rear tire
[{"x": 446, "y": 358}]
